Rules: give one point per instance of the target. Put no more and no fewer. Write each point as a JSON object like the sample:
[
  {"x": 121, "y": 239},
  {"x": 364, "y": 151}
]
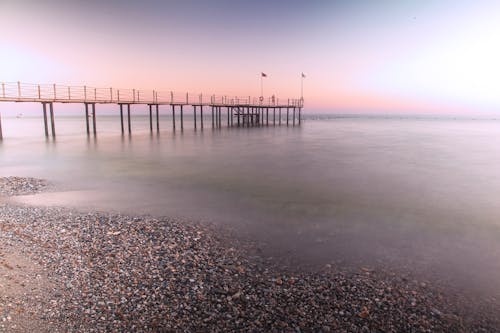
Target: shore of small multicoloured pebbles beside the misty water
[{"x": 94, "y": 272}]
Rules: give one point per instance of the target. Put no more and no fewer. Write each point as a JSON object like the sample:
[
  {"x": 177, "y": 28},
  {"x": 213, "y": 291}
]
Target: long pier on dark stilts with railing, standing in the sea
[{"x": 238, "y": 111}]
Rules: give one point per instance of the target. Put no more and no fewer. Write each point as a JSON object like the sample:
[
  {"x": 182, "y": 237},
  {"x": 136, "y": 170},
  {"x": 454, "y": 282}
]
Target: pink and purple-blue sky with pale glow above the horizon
[{"x": 428, "y": 57}]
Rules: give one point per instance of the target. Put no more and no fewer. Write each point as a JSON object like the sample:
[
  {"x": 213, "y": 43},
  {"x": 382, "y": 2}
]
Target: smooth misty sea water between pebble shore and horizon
[{"x": 414, "y": 194}]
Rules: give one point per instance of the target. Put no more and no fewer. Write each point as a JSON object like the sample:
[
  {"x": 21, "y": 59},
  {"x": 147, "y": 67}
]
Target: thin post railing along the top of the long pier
[{"x": 28, "y": 92}]
